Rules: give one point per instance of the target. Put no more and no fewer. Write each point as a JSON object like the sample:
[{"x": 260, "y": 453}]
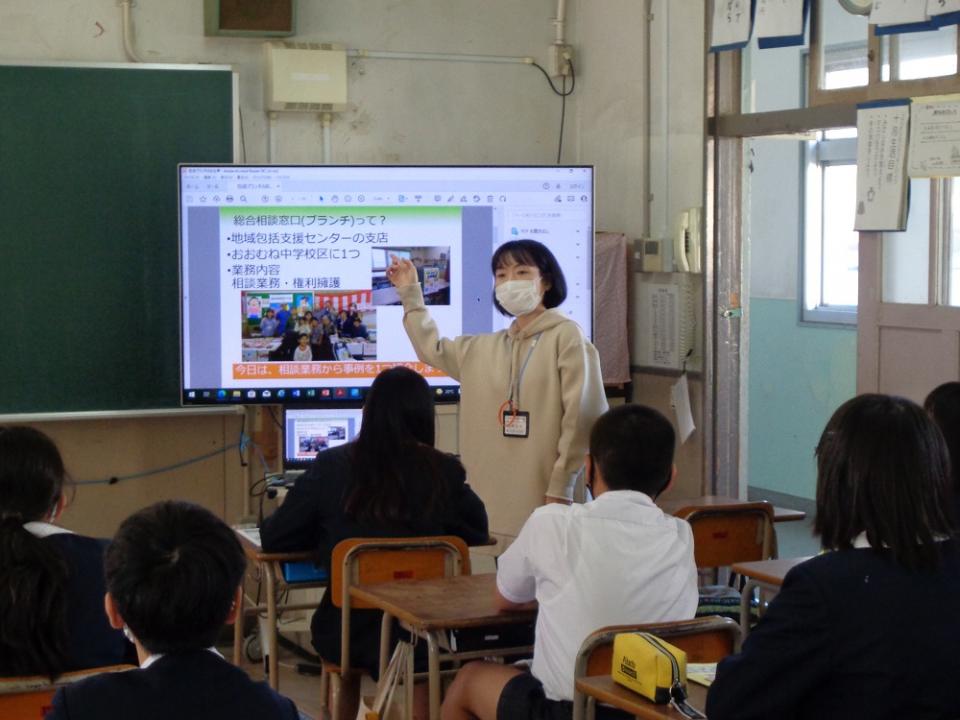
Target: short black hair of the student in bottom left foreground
[{"x": 173, "y": 570}]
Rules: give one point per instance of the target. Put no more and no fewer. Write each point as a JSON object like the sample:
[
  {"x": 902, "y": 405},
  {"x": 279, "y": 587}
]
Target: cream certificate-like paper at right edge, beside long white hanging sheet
[{"x": 934, "y": 149}]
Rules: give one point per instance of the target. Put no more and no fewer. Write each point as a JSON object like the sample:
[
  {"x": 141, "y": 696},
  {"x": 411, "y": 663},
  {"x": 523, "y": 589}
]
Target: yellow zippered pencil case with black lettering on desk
[{"x": 649, "y": 666}]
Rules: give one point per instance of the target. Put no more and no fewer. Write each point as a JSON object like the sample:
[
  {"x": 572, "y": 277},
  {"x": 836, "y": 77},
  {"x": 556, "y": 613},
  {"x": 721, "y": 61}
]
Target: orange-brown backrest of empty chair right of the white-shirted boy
[{"x": 727, "y": 534}]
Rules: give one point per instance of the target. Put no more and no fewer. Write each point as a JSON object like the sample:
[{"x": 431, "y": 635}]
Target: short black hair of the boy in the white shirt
[{"x": 632, "y": 447}]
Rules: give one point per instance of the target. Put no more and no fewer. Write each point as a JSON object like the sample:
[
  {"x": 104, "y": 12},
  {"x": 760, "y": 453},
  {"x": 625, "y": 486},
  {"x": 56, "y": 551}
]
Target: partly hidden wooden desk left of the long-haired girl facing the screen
[{"x": 269, "y": 567}]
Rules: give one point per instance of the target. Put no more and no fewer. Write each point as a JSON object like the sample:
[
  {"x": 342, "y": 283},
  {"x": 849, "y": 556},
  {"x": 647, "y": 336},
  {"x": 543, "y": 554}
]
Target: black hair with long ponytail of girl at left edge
[{"x": 33, "y": 575}]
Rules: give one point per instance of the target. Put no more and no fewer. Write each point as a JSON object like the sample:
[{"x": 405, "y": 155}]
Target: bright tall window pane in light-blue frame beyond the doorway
[{"x": 840, "y": 260}]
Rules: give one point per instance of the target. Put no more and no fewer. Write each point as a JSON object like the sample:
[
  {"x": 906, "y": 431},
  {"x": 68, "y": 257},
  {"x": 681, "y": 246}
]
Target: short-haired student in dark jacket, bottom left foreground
[{"x": 172, "y": 571}]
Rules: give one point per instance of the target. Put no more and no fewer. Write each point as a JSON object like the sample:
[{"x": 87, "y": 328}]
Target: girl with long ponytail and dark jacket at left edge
[{"x": 51, "y": 580}]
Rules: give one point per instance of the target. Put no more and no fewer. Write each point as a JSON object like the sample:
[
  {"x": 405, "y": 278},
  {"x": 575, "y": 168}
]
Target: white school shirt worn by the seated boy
[{"x": 616, "y": 560}]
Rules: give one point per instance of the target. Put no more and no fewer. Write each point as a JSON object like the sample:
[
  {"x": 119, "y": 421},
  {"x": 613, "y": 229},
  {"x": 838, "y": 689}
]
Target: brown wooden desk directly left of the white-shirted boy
[{"x": 429, "y": 608}]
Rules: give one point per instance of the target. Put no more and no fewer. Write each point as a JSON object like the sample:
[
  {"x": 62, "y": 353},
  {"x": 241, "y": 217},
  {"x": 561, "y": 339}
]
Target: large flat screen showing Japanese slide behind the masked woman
[{"x": 271, "y": 253}]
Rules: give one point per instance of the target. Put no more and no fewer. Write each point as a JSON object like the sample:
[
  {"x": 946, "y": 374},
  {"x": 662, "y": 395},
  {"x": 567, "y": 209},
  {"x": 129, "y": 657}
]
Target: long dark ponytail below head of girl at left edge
[{"x": 33, "y": 617}]
